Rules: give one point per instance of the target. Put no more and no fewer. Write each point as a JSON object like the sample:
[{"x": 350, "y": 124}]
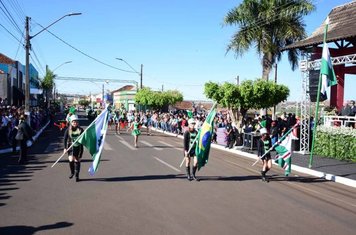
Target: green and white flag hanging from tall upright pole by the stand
[{"x": 327, "y": 73}]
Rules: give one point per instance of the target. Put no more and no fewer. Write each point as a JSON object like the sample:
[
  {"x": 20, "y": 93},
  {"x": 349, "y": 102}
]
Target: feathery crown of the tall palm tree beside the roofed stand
[{"x": 269, "y": 25}]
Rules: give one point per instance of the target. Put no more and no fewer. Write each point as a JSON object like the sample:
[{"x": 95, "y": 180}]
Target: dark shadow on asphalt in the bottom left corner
[{"x": 28, "y": 230}]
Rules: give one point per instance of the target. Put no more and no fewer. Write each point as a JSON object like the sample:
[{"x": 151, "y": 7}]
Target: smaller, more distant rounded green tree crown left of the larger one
[{"x": 157, "y": 99}]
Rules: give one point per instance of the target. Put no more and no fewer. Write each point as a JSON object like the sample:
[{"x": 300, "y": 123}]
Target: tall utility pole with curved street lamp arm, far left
[{"x": 28, "y": 47}]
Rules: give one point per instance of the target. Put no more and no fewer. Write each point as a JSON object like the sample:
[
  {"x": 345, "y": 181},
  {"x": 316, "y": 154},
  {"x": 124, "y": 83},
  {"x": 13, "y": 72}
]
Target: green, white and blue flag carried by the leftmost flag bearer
[{"x": 93, "y": 139}]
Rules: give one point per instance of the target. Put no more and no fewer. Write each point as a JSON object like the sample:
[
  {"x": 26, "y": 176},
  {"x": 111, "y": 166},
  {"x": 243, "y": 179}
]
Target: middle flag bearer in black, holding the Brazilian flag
[{"x": 189, "y": 145}]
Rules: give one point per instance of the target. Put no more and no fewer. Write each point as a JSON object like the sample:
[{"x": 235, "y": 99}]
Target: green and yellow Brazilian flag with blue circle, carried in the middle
[{"x": 204, "y": 139}]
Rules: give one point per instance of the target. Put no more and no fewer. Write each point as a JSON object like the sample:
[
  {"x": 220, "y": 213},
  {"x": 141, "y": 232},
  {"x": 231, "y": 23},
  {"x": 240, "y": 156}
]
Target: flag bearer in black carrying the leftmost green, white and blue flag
[{"x": 76, "y": 152}]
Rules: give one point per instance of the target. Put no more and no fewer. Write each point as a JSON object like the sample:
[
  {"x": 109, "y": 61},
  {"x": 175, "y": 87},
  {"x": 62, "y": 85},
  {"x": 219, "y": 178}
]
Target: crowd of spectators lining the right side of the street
[{"x": 177, "y": 123}]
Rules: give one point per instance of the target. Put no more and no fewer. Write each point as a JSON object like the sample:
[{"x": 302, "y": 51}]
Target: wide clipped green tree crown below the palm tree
[{"x": 249, "y": 94}]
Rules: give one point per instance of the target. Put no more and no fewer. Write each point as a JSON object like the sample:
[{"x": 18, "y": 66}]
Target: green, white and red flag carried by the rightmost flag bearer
[{"x": 284, "y": 150}]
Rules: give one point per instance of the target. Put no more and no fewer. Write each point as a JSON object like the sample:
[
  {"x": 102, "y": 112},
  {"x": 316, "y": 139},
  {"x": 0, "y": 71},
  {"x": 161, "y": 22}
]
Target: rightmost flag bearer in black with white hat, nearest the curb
[{"x": 263, "y": 145}]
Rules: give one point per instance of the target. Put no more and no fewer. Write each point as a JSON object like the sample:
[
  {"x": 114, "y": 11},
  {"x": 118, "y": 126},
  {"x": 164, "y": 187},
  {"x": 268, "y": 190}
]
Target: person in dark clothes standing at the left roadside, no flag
[{"x": 24, "y": 133}]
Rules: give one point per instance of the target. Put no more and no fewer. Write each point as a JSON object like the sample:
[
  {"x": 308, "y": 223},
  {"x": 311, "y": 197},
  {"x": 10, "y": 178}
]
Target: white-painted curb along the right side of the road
[{"x": 304, "y": 170}]
